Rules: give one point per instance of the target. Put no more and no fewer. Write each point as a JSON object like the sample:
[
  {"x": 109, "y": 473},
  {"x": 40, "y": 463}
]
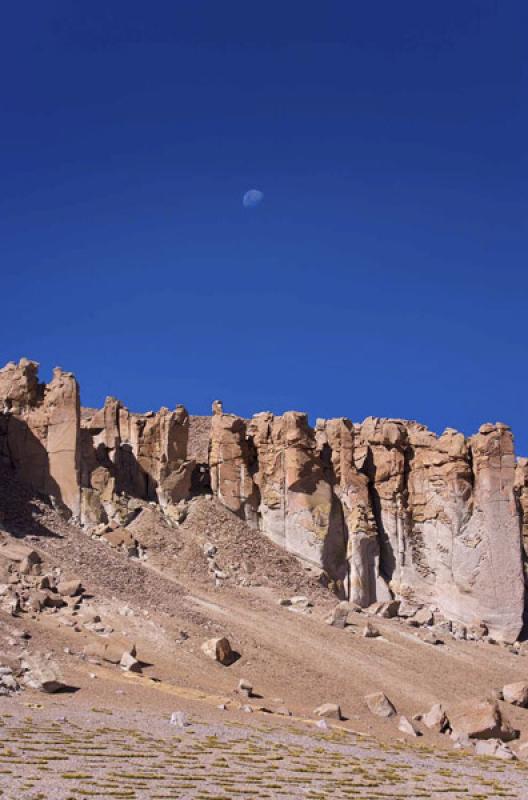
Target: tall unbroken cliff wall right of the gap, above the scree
[{"x": 386, "y": 508}]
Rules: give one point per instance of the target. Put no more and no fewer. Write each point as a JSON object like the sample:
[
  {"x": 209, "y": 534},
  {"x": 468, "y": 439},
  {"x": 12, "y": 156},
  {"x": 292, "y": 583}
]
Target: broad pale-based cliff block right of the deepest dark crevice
[{"x": 447, "y": 520}]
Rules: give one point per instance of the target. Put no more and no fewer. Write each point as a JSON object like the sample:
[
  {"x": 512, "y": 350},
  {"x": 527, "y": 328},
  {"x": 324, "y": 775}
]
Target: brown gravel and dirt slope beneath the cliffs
[{"x": 287, "y": 655}]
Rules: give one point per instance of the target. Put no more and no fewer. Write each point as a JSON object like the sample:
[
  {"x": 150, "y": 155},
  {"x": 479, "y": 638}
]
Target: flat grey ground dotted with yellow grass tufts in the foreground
[{"x": 44, "y": 754}]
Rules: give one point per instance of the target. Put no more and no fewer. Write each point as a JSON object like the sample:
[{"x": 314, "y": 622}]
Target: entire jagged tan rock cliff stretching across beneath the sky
[{"x": 386, "y": 508}]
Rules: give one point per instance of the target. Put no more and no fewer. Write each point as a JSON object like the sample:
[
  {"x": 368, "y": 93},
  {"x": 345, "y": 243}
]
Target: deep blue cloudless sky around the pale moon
[{"x": 385, "y": 270}]
